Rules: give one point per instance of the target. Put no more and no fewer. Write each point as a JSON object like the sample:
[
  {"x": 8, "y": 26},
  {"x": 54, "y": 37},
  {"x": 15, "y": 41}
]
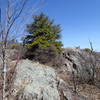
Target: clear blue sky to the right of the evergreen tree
[{"x": 79, "y": 19}]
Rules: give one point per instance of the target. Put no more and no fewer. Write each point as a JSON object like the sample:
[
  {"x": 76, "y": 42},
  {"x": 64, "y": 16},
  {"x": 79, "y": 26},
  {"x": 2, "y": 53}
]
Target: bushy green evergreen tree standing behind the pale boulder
[{"x": 43, "y": 37}]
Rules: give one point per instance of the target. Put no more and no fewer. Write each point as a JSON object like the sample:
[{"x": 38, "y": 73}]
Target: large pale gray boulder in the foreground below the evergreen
[{"x": 35, "y": 82}]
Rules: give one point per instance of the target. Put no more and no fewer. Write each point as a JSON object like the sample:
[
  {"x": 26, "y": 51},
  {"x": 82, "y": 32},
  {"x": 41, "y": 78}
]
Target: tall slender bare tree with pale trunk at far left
[{"x": 13, "y": 14}]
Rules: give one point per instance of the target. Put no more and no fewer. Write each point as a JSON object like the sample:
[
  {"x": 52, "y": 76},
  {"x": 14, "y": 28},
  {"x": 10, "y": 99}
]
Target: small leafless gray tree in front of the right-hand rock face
[{"x": 89, "y": 62}]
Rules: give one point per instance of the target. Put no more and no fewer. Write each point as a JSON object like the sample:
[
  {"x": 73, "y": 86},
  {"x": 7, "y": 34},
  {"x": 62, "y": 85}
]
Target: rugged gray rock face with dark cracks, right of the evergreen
[{"x": 80, "y": 61}]
